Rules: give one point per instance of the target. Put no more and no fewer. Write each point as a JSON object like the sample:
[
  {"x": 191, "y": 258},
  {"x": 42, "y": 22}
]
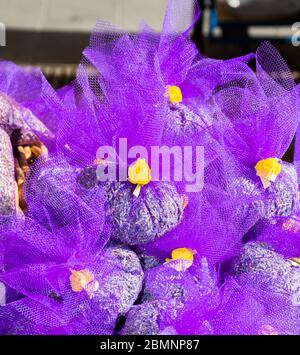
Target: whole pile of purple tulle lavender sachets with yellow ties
[{"x": 102, "y": 234}]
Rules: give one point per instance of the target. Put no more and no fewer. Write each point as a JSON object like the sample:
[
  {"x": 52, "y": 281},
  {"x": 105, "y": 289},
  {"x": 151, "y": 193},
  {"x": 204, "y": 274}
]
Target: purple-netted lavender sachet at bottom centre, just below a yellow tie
[{"x": 176, "y": 298}]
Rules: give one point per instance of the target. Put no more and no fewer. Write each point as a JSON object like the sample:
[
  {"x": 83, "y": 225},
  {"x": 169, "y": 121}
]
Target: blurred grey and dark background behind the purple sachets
[{"x": 53, "y": 33}]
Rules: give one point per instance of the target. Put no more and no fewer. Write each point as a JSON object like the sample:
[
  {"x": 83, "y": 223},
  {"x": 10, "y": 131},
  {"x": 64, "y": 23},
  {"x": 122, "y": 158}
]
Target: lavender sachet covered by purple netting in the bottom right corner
[{"x": 260, "y": 294}]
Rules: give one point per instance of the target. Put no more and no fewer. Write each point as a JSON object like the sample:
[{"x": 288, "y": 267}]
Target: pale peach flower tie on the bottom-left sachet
[{"x": 83, "y": 280}]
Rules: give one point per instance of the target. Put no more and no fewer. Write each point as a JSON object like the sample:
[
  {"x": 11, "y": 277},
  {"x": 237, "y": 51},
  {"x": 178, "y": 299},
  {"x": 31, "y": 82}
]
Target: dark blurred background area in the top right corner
[{"x": 234, "y": 24}]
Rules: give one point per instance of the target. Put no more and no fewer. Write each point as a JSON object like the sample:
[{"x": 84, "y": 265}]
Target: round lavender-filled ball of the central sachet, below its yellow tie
[{"x": 138, "y": 220}]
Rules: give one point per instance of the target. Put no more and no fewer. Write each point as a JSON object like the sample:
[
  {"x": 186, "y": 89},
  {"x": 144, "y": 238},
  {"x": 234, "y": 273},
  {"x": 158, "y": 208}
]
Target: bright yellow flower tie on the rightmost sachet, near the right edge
[{"x": 268, "y": 170}]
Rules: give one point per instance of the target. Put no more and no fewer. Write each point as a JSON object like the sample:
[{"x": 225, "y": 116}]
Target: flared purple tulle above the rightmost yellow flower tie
[{"x": 264, "y": 117}]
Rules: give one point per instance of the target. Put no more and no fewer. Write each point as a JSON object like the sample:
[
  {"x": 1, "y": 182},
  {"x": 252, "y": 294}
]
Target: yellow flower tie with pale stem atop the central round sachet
[{"x": 139, "y": 174}]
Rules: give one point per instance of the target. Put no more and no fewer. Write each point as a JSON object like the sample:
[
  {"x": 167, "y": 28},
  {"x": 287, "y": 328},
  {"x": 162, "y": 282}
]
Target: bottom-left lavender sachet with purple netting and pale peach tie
[{"x": 53, "y": 307}]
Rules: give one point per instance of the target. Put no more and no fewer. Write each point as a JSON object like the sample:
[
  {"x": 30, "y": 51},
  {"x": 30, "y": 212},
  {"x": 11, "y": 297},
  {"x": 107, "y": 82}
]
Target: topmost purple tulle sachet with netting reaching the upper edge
[{"x": 170, "y": 59}]
